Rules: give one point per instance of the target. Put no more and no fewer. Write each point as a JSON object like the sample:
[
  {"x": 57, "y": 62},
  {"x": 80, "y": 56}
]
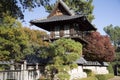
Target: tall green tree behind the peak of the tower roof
[{"x": 84, "y": 7}]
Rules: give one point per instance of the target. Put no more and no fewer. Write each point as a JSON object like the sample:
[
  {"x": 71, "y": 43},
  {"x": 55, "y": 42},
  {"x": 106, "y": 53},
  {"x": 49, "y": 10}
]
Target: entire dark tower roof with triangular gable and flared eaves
[{"x": 60, "y": 15}]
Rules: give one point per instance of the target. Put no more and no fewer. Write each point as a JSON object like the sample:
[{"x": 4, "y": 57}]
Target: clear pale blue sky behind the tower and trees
[{"x": 106, "y": 12}]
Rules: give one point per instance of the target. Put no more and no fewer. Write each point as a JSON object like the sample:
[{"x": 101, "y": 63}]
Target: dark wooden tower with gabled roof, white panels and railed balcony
[{"x": 64, "y": 22}]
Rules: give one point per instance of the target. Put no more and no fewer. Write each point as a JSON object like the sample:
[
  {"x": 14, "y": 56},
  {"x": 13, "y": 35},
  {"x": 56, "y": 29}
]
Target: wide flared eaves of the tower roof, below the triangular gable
[{"x": 61, "y": 20}]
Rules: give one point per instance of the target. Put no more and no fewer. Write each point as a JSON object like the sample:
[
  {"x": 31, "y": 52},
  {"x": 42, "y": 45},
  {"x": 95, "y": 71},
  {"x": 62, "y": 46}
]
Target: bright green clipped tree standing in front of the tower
[{"x": 62, "y": 54}]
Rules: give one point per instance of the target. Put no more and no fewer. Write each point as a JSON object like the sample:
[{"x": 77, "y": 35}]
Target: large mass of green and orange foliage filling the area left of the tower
[{"x": 16, "y": 42}]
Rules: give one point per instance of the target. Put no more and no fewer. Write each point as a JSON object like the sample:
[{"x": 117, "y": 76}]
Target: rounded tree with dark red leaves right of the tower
[{"x": 99, "y": 48}]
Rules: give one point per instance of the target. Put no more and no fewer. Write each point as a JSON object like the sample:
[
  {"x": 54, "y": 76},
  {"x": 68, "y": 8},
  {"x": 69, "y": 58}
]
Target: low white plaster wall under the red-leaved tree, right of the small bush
[{"x": 97, "y": 69}]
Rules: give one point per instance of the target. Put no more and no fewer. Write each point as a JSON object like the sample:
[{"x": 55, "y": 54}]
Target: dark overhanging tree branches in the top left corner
[{"x": 15, "y": 8}]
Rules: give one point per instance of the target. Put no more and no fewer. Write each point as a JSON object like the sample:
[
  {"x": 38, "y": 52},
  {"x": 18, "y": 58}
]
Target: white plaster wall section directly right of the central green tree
[{"x": 77, "y": 73}]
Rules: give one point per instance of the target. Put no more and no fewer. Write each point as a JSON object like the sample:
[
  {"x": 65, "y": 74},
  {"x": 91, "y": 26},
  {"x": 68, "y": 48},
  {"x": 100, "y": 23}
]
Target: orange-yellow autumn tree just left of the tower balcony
[{"x": 35, "y": 39}]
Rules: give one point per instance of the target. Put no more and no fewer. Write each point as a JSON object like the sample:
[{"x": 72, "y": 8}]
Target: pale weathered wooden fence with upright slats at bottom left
[{"x": 20, "y": 75}]
